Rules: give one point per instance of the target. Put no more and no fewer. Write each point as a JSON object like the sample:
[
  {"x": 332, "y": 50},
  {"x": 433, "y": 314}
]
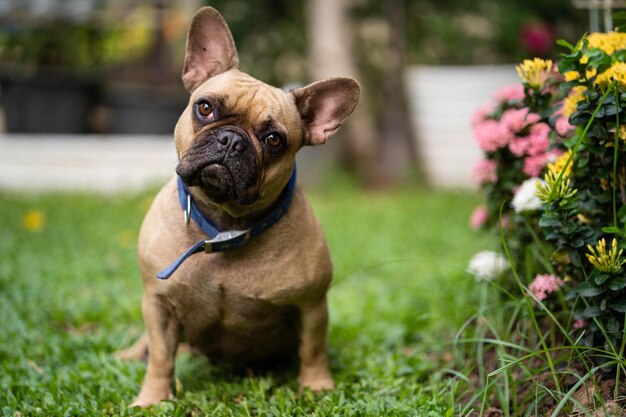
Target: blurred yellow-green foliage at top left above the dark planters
[{"x": 30, "y": 42}]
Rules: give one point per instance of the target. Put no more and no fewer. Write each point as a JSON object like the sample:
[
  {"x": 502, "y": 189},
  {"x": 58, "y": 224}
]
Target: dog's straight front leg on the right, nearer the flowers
[{"x": 314, "y": 371}]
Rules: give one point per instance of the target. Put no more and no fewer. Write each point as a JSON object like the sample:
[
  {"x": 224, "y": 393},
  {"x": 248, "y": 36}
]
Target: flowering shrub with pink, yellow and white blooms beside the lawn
[{"x": 554, "y": 176}]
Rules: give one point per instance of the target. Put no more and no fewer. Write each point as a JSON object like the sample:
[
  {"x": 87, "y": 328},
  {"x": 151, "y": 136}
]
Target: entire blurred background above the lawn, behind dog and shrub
[{"x": 108, "y": 71}]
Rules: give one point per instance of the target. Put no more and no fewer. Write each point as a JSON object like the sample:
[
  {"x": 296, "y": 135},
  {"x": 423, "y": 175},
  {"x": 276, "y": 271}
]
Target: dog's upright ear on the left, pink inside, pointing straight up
[{"x": 210, "y": 48}]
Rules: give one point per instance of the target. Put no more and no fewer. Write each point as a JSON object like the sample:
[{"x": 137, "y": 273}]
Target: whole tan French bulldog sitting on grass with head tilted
[{"x": 232, "y": 257}]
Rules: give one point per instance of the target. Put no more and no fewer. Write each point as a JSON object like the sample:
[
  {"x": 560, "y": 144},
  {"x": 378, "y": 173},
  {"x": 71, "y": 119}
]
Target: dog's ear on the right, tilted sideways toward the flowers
[{"x": 325, "y": 105}]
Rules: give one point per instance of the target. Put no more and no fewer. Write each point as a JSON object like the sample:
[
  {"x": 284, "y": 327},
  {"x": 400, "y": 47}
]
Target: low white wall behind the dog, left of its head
[{"x": 84, "y": 162}]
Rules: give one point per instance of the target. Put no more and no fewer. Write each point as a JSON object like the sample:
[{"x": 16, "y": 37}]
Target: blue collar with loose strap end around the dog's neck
[{"x": 221, "y": 240}]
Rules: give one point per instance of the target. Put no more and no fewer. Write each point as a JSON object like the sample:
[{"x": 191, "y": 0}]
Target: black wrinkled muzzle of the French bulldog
[{"x": 223, "y": 177}]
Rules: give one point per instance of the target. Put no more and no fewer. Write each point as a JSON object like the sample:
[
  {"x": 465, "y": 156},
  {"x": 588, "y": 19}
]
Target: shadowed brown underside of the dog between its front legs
[{"x": 230, "y": 313}]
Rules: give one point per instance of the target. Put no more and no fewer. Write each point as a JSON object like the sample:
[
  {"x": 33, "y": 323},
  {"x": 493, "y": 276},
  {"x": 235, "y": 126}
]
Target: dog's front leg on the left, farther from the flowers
[{"x": 163, "y": 333}]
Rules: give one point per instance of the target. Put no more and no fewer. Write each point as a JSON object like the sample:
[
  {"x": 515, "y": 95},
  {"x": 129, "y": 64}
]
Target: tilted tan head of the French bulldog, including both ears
[{"x": 237, "y": 139}]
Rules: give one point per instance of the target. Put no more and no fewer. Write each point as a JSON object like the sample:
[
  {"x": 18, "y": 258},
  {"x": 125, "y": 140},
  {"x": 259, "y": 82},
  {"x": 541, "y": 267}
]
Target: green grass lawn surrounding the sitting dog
[{"x": 70, "y": 297}]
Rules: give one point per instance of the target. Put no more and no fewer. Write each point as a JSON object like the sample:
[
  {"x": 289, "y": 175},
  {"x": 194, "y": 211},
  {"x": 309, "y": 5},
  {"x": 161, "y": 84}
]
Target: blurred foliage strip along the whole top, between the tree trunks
[{"x": 272, "y": 38}]
